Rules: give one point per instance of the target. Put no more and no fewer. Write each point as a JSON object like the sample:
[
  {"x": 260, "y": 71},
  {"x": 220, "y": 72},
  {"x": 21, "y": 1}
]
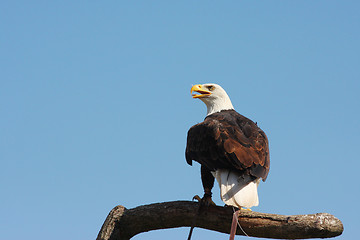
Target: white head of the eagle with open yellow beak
[{"x": 214, "y": 96}]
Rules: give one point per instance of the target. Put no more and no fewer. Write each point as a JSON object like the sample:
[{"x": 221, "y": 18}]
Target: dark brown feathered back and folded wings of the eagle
[{"x": 231, "y": 141}]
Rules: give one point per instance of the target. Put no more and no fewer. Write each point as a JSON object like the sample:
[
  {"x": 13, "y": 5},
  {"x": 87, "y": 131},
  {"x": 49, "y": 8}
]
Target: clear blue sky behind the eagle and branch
[{"x": 95, "y": 106}]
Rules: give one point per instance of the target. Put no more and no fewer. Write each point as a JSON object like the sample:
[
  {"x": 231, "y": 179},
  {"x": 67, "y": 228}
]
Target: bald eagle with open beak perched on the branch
[{"x": 230, "y": 148}]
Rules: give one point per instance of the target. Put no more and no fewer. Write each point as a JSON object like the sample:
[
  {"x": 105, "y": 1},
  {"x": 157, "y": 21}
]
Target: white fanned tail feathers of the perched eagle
[{"x": 237, "y": 190}]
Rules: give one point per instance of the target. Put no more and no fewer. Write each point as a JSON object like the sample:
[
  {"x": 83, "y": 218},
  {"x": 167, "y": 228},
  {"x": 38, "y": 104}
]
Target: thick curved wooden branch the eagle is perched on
[{"x": 122, "y": 223}]
